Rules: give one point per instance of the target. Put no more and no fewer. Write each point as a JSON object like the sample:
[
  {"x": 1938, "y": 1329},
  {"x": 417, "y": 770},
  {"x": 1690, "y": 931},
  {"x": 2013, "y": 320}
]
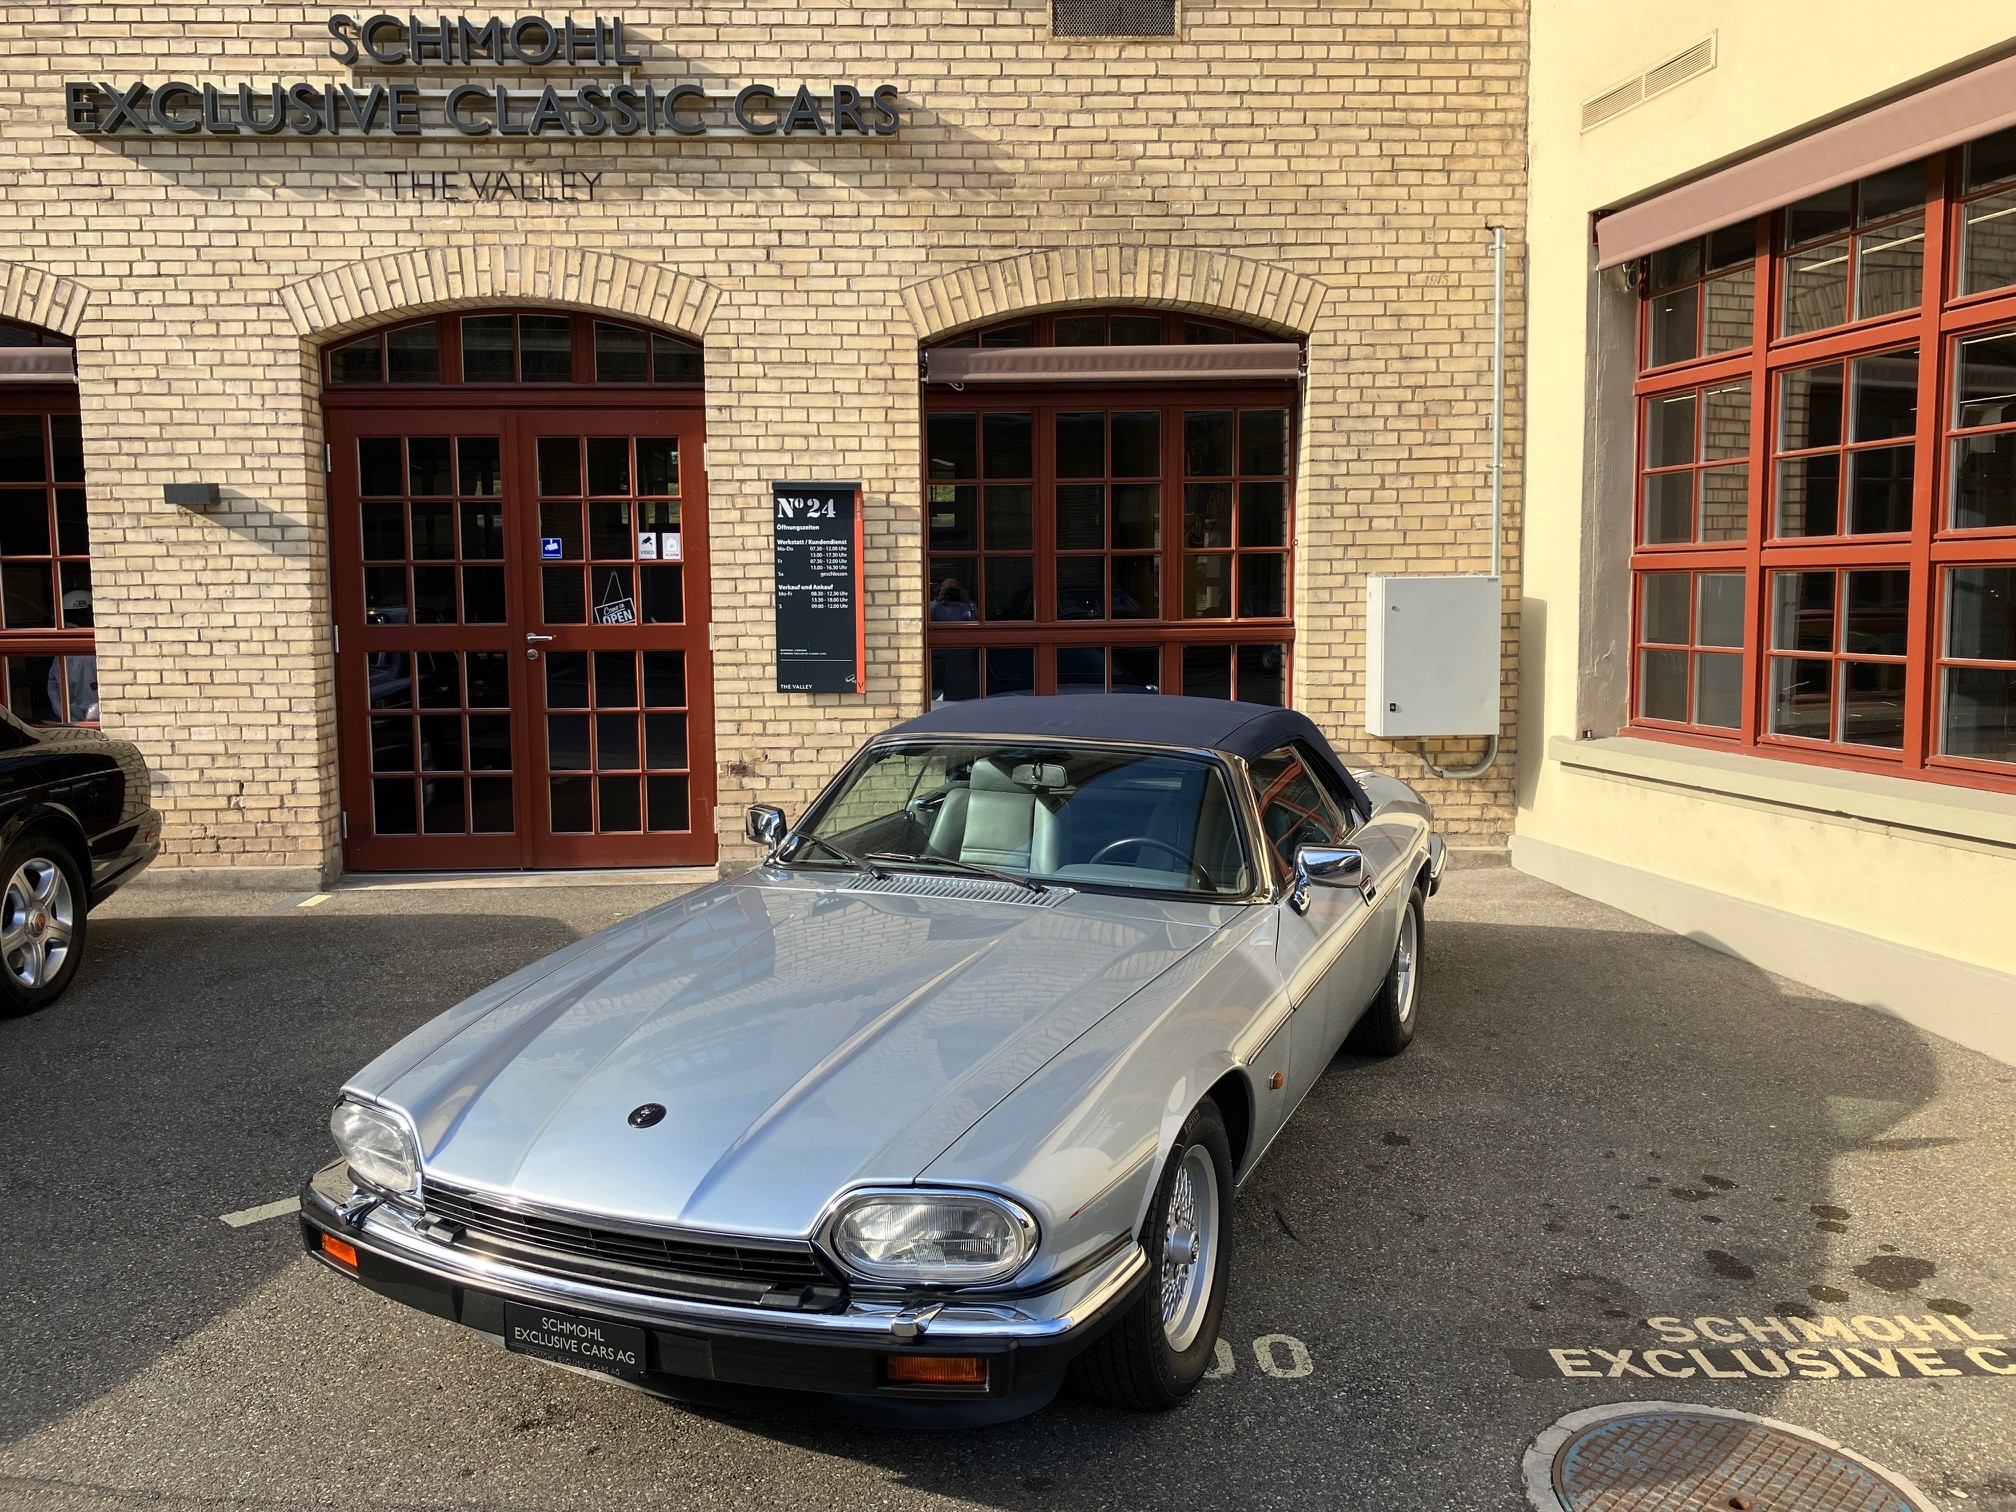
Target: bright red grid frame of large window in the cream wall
[{"x": 1928, "y": 551}]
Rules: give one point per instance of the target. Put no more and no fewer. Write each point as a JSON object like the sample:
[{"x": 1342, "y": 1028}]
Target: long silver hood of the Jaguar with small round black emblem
[{"x": 803, "y": 1035}]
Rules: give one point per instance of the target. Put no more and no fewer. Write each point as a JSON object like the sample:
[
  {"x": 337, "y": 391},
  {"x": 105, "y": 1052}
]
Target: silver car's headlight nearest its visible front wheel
[{"x": 932, "y": 1237}]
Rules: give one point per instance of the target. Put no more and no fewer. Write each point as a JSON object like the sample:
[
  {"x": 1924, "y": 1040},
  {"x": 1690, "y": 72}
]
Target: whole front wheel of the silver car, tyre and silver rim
[{"x": 1164, "y": 1344}]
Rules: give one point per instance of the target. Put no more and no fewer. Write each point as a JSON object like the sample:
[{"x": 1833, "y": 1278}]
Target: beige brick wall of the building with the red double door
[{"x": 1315, "y": 168}]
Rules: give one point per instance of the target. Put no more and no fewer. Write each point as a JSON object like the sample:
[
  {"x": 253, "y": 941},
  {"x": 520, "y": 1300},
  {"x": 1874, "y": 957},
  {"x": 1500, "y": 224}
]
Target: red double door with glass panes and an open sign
[{"x": 481, "y": 705}]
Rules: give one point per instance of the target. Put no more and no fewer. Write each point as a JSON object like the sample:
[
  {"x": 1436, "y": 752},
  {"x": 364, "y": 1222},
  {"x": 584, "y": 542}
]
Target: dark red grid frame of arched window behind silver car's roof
[{"x": 1247, "y": 640}]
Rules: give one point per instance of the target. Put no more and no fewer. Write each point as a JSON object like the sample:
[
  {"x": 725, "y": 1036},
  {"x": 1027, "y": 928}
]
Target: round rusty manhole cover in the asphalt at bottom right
[{"x": 1658, "y": 1457}]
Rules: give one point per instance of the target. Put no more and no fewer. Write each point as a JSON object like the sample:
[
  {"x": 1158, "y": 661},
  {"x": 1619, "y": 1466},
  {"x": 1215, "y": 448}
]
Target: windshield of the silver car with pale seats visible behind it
[{"x": 1078, "y": 815}]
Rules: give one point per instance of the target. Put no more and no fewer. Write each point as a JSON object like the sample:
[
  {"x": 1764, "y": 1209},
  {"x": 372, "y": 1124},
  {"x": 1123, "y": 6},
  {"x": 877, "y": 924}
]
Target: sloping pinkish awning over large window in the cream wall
[{"x": 1916, "y": 126}]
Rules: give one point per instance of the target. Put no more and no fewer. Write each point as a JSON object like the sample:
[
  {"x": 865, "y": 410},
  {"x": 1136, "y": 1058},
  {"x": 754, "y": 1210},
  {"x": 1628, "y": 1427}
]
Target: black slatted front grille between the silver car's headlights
[{"x": 747, "y": 1271}]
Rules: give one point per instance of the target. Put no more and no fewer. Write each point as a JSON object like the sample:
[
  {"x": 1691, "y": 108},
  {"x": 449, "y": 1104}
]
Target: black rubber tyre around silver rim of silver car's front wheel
[{"x": 1134, "y": 1364}]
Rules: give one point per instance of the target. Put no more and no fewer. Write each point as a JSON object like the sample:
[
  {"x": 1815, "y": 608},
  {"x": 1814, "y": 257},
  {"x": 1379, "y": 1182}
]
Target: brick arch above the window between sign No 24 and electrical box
[{"x": 1152, "y": 277}]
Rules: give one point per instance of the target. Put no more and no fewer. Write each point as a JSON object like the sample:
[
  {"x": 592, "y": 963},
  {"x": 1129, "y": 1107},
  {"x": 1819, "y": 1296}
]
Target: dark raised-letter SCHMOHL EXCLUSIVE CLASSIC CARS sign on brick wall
[{"x": 479, "y": 110}]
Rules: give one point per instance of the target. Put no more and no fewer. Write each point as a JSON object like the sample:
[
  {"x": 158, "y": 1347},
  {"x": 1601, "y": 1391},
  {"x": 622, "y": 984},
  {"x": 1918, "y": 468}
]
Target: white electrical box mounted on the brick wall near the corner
[{"x": 1432, "y": 654}]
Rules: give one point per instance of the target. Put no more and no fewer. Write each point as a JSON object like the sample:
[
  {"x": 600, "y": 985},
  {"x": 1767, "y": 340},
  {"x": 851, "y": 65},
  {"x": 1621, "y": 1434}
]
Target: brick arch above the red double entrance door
[{"x": 368, "y": 293}]
